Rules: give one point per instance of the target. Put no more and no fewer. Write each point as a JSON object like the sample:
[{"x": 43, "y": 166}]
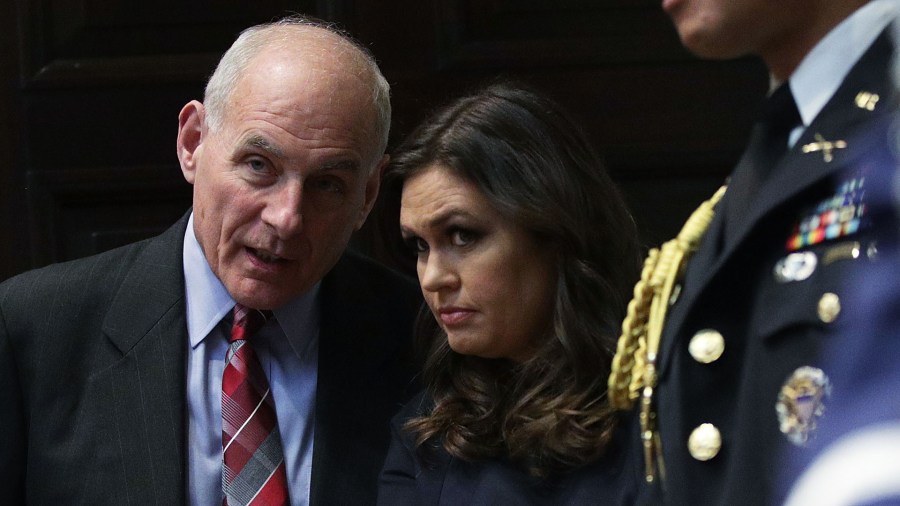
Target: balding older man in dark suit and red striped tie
[{"x": 241, "y": 355}]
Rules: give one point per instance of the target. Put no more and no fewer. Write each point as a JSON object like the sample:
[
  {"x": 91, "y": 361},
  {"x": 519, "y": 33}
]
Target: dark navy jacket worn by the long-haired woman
[{"x": 438, "y": 479}]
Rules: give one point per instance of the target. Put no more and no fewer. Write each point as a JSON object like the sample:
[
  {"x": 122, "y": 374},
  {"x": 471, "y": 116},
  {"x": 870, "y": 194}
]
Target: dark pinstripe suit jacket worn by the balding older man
[{"x": 92, "y": 378}]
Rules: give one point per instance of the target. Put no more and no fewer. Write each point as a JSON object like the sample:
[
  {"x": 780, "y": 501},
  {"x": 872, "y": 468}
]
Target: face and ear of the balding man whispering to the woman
[{"x": 280, "y": 187}]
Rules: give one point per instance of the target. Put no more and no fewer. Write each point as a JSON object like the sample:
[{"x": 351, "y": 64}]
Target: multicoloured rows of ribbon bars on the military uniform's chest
[{"x": 837, "y": 216}]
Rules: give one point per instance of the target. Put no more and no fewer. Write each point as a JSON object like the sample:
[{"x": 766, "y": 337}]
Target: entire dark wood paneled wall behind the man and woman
[{"x": 91, "y": 90}]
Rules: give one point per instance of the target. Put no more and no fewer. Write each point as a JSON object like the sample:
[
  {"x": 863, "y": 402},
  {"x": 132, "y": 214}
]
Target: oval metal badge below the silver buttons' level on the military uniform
[{"x": 801, "y": 402}]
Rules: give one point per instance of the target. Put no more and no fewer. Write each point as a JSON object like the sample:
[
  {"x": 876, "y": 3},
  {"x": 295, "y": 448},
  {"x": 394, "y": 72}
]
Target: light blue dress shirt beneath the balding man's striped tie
[{"x": 288, "y": 350}]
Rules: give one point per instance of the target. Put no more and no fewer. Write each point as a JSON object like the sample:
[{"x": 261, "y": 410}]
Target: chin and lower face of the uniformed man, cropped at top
[{"x": 732, "y": 28}]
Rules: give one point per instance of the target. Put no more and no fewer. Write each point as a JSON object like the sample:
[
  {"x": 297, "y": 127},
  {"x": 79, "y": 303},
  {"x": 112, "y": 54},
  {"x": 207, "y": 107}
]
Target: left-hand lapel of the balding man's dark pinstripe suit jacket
[{"x": 146, "y": 322}]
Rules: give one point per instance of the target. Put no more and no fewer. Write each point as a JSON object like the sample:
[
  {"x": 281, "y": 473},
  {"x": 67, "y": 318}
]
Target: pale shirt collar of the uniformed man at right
[{"x": 823, "y": 70}]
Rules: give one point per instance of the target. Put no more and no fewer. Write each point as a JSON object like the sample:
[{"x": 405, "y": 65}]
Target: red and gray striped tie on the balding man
[{"x": 253, "y": 468}]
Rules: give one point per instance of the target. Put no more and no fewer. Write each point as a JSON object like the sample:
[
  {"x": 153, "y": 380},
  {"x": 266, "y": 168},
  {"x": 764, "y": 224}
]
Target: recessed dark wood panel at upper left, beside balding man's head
[{"x": 88, "y": 42}]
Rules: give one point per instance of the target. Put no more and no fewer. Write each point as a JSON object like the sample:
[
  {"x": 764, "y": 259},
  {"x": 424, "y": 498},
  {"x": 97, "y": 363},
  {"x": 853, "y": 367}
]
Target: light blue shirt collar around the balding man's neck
[{"x": 208, "y": 301}]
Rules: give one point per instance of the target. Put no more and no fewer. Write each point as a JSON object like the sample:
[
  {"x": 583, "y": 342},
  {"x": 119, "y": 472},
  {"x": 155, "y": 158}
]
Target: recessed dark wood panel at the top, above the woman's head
[{"x": 553, "y": 33}]
